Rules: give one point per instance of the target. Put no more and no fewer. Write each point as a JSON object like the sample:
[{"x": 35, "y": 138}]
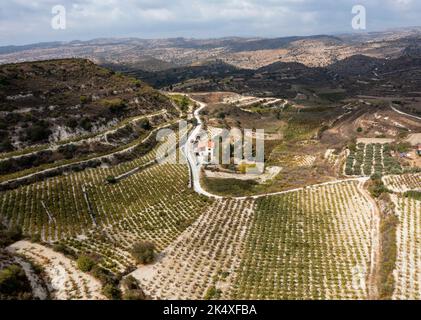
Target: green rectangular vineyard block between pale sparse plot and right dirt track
[{"x": 310, "y": 244}]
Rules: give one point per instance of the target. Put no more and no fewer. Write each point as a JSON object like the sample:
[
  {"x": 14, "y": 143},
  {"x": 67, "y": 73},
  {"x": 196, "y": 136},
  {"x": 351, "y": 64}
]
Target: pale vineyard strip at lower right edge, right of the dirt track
[{"x": 408, "y": 264}]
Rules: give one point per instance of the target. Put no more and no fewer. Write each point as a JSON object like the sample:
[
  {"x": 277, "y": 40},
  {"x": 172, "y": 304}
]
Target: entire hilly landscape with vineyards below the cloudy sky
[{"x": 96, "y": 202}]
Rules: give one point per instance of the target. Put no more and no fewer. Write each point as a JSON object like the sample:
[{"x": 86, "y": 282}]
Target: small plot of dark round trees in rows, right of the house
[{"x": 370, "y": 159}]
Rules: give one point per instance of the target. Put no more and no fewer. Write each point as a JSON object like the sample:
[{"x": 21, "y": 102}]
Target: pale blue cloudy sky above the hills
[{"x": 24, "y": 21}]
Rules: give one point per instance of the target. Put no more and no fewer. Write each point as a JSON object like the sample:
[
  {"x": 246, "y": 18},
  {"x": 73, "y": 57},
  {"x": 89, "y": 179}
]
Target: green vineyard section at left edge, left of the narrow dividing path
[{"x": 55, "y": 208}]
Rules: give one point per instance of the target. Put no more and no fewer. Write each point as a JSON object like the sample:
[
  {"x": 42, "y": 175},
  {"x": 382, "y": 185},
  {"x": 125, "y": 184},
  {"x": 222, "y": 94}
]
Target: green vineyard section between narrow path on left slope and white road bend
[{"x": 155, "y": 205}]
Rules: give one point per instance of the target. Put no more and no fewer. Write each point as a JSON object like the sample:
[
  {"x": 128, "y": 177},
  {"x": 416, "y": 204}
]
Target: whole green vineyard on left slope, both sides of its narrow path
[{"x": 90, "y": 215}]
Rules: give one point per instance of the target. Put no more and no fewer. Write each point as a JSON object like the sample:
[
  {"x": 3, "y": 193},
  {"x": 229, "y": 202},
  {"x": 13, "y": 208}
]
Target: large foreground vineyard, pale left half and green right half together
[{"x": 309, "y": 244}]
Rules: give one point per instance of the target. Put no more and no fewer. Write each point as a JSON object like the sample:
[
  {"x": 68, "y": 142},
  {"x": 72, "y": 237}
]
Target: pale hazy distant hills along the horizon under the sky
[{"x": 247, "y": 53}]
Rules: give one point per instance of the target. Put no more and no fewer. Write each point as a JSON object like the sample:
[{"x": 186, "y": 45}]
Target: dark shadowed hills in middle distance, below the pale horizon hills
[{"x": 352, "y": 76}]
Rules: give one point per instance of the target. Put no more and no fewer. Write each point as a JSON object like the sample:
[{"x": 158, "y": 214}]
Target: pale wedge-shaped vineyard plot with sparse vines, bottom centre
[{"x": 203, "y": 261}]
